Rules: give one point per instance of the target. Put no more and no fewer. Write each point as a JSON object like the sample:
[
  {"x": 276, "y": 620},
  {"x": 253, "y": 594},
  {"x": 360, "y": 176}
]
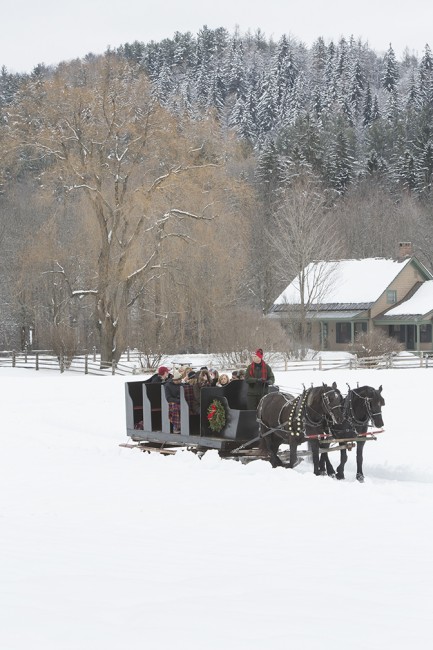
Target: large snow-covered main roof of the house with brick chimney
[{"x": 344, "y": 281}]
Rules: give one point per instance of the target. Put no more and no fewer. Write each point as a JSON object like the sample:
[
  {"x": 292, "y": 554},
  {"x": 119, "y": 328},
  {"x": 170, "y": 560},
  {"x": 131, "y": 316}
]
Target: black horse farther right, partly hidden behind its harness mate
[{"x": 362, "y": 406}]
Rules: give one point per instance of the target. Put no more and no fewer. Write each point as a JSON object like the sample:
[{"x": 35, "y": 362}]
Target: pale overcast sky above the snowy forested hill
[{"x": 48, "y": 31}]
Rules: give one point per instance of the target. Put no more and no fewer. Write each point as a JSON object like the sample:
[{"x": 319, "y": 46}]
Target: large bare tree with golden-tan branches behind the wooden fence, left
[{"x": 94, "y": 129}]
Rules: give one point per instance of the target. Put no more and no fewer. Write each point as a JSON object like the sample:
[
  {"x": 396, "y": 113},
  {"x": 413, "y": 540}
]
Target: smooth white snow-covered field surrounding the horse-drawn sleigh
[{"x": 104, "y": 547}]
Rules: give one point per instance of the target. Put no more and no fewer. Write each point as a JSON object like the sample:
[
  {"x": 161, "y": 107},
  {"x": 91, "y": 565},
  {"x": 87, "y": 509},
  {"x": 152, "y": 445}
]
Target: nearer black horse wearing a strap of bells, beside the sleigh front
[{"x": 293, "y": 420}]
